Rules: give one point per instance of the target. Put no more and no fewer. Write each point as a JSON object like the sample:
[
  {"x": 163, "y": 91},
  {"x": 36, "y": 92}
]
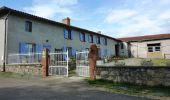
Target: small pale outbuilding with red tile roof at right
[{"x": 149, "y": 46}]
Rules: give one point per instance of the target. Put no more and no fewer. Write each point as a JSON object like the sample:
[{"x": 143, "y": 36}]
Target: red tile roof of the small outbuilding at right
[{"x": 146, "y": 37}]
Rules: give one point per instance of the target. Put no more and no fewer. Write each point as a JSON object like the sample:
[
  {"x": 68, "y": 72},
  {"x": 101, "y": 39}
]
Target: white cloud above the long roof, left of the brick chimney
[{"x": 49, "y": 9}]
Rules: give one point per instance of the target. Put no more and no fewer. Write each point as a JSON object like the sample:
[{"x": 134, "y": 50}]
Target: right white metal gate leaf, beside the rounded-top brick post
[{"x": 82, "y": 64}]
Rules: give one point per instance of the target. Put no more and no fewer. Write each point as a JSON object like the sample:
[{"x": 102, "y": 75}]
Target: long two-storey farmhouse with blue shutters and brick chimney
[{"x": 23, "y": 33}]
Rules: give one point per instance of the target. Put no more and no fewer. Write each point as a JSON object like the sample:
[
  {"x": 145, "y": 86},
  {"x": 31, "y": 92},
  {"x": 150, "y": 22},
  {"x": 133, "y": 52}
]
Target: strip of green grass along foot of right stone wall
[{"x": 132, "y": 89}]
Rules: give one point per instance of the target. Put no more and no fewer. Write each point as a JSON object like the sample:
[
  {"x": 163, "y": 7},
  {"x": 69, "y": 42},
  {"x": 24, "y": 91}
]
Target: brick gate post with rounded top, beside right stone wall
[{"x": 93, "y": 55}]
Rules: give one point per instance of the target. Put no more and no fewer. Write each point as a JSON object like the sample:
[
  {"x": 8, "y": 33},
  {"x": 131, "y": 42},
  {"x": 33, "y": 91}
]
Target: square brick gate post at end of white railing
[{"x": 44, "y": 62}]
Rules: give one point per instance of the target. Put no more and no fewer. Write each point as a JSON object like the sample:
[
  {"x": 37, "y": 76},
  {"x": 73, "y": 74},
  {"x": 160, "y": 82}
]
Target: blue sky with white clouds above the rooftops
[{"x": 115, "y": 18}]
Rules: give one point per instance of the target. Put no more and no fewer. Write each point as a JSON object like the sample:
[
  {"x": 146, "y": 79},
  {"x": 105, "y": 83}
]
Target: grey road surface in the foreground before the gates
[{"x": 54, "y": 89}]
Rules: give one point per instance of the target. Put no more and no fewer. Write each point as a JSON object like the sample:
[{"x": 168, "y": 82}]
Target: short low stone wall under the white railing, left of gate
[{"x": 31, "y": 69}]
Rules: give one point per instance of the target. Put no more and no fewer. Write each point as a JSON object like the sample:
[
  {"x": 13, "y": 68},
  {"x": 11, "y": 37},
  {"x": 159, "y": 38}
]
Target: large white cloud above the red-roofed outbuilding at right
[{"x": 152, "y": 19}]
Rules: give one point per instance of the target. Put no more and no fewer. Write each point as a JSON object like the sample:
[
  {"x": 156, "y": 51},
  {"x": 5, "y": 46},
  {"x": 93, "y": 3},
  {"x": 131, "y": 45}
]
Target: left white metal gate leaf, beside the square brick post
[{"x": 58, "y": 63}]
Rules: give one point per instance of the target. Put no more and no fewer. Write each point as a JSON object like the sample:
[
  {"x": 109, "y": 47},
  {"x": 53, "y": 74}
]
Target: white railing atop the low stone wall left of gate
[{"x": 31, "y": 58}]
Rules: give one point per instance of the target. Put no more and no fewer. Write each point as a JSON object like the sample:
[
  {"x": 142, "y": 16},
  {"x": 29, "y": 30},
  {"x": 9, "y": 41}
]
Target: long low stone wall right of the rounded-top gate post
[{"x": 139, "y": 75}]
